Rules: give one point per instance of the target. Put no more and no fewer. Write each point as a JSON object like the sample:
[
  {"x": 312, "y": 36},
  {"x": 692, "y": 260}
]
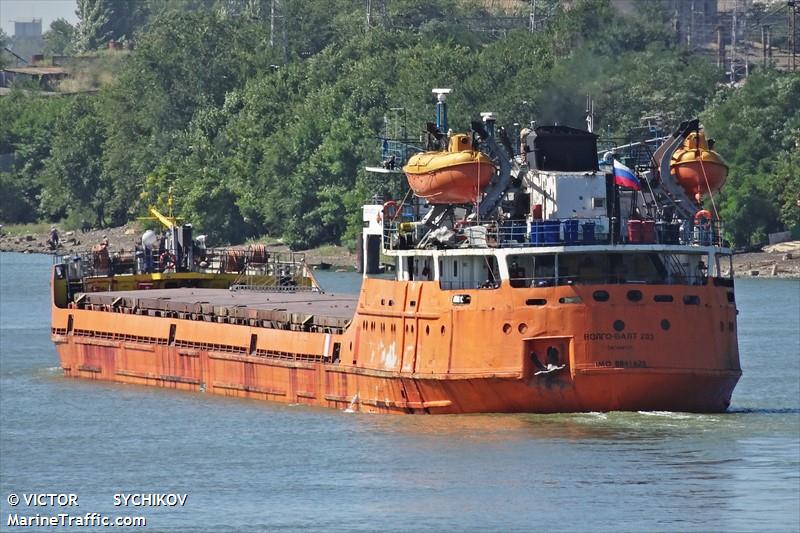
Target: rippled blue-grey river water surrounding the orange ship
[{"x": 250, "y": 466}]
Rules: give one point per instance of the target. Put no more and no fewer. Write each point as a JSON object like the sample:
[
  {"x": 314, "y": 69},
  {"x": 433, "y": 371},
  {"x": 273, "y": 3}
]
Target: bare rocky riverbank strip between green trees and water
[{"x": 776, "y": 261}]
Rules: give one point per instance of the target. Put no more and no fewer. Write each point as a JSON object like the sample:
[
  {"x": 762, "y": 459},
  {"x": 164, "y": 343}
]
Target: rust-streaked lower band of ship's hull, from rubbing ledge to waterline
[{"x": 331, "y": 386}]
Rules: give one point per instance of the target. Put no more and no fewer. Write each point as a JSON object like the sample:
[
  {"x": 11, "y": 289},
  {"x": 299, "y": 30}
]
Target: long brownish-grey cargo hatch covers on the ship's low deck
[{"x": 285, "y": 309}]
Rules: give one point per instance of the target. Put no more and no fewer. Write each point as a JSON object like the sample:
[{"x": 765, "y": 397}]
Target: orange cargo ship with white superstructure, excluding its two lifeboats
[{"x": 546, "y": 307}]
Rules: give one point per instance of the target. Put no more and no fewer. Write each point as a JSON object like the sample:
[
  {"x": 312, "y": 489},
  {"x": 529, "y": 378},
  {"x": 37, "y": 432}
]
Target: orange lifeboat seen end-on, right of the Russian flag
[{"x": 697, "y": 167}]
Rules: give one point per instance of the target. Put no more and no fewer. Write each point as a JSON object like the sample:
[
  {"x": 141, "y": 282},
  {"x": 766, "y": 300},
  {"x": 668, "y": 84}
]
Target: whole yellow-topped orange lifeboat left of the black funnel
[{"x": 452, "y": 177}]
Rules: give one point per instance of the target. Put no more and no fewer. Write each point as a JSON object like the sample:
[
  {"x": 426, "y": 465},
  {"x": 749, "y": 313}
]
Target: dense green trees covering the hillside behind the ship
[{"x": 255, "y": 139}]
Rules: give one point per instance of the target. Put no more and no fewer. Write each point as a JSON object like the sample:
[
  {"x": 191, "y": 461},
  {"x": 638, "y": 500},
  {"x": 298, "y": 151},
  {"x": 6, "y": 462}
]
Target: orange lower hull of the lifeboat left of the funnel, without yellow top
[{"x": 458, "y": 184}]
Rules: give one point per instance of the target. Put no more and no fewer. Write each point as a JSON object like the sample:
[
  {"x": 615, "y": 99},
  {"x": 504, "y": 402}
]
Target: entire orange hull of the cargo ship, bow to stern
[{"x": 409, "y": 350}]
